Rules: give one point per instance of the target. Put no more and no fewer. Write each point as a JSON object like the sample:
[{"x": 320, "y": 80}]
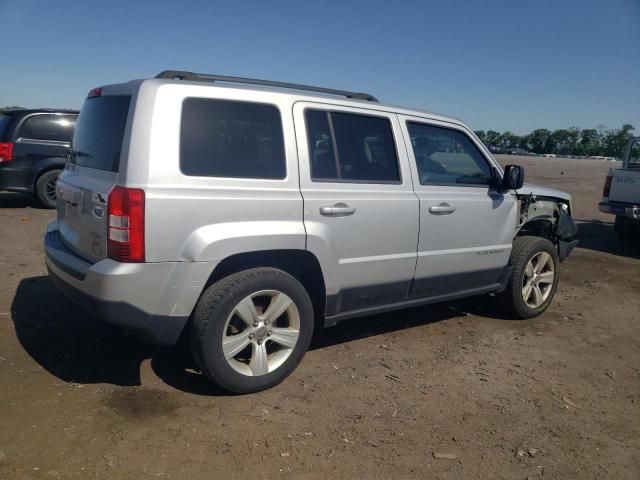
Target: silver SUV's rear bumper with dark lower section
[{"x": 154, "y": 300}]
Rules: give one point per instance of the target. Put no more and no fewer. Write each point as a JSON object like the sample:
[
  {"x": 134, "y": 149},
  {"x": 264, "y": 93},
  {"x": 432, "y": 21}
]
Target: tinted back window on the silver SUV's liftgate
[{"x": 98, "y": 139}]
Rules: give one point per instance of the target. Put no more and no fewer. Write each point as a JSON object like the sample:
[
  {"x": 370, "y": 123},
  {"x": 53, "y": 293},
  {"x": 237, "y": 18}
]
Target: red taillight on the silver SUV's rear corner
[{"x": 126, "y": 224}]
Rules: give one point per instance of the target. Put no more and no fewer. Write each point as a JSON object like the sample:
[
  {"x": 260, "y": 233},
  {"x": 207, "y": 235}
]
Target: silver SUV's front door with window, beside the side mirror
[{"x": 466, "y": 227}]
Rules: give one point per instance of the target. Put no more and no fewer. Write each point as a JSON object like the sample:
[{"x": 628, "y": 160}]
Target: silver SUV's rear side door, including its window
[{"x": 360, "y": 212}]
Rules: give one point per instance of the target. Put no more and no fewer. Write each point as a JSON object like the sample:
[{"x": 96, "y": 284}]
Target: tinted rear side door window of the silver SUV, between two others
[{"x": 346, "y": 147}]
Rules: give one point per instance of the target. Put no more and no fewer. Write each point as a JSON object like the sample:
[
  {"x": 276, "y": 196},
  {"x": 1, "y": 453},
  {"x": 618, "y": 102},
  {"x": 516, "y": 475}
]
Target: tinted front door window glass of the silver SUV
[{"x": 445, "y": 156}]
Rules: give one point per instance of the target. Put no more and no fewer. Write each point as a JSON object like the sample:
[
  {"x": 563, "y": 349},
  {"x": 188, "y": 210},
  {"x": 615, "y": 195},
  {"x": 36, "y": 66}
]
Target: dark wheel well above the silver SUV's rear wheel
[{"x": 301, "y": 264}]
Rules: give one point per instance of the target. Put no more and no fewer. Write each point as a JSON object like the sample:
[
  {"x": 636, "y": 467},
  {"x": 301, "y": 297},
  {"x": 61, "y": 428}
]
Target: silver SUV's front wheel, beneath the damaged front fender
[{"x": 534, "y": 278}]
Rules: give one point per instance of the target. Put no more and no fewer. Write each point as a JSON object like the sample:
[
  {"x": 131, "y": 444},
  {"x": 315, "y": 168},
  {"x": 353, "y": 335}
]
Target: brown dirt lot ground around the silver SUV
[{"x": 380, "y": 397}]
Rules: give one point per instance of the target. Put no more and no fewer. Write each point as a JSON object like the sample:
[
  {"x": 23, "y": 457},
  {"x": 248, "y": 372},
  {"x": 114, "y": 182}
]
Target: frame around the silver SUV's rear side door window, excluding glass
[{"x": 382, "y": 115}]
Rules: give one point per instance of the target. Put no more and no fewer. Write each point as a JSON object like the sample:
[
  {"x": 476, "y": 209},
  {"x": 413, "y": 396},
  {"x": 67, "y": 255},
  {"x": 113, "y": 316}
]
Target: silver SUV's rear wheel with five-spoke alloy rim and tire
[{"x": 251, "y": 329}]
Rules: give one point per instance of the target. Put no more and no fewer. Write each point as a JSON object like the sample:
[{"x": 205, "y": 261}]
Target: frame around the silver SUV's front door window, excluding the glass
[{"x": 494, "y": 169}]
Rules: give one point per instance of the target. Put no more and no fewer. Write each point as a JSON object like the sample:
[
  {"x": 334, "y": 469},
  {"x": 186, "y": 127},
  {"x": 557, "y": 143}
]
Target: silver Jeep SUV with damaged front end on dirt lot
[{"x": 250, "y": 211}]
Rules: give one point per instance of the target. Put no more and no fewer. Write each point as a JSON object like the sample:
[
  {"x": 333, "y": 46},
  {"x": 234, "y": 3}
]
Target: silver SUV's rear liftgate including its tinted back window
[{"x": 91, "y": 173}]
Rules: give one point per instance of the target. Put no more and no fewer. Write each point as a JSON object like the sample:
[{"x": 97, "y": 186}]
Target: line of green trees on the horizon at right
[{"x": 571, "y": 141}]
